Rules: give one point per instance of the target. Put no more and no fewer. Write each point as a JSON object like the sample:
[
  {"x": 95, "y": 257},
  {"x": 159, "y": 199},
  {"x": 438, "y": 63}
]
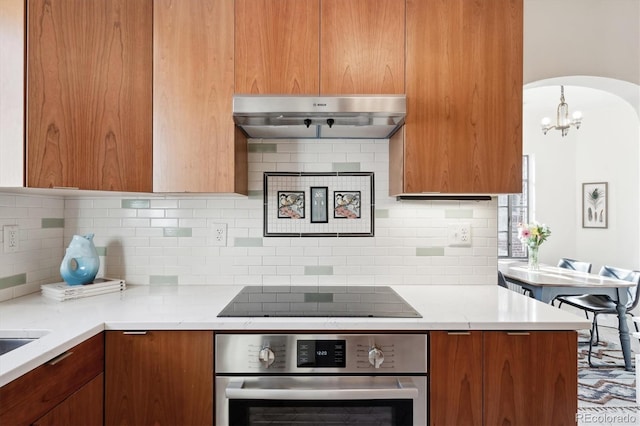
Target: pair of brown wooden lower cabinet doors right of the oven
[{"x": 499, "y": 377}]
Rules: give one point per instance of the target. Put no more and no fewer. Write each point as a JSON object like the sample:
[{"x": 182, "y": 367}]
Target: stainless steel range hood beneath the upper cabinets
[{"x": 314, "y": 117}]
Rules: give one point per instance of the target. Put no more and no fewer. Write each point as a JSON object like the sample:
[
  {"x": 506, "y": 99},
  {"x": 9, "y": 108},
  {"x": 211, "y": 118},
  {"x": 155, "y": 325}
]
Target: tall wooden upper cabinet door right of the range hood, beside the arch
[{"x": 463, "y": 131}]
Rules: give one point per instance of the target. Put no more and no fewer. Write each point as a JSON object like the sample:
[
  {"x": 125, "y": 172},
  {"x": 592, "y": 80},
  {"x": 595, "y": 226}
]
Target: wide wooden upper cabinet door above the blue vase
[{"x": 89, "y": 94}]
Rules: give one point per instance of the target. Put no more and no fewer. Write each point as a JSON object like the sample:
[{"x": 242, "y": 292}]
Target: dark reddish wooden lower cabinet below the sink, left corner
[{"x": 65, "y": 390}]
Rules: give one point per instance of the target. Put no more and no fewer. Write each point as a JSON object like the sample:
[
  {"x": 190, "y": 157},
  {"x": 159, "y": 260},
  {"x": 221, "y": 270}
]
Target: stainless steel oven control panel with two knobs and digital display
[{"x": 320, "y": 353}]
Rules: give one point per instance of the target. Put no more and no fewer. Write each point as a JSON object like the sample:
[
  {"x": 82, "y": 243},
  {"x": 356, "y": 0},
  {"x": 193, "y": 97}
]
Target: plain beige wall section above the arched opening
[{"x": 582, "y": 37}]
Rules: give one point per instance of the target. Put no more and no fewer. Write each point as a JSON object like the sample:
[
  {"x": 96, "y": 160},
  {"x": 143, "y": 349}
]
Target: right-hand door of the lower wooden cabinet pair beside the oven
[{"x": 530, "y": 378}]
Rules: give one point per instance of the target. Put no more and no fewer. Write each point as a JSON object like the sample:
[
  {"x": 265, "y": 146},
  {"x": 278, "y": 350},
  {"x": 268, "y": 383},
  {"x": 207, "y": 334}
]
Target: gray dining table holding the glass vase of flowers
[{"x": 549, "y": 282}]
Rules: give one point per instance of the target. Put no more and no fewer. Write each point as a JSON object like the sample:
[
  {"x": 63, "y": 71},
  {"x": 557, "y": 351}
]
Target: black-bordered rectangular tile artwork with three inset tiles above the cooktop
[{"x": 336, "y": 204}]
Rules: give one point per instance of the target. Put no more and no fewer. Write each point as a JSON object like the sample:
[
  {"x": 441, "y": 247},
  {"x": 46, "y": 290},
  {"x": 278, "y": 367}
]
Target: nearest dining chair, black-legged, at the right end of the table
[{"x": 597, "y": 304}]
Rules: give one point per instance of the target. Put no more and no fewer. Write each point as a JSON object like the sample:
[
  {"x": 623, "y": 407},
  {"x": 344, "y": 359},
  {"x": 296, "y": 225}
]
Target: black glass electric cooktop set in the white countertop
[{"x": 319, "y": 301}]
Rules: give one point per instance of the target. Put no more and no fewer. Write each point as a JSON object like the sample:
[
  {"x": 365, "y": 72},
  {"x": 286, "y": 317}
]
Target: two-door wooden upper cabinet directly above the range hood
[{"x": 311, "y": 47}]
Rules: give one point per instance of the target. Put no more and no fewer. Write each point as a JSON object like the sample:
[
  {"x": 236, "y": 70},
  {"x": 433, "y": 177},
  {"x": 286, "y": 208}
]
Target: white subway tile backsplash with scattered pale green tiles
[{"x": 132, "y": 230}]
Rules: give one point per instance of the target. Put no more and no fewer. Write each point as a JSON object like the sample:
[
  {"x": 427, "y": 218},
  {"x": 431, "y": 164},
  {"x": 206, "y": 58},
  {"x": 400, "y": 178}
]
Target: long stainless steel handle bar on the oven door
[{"x": 404, "y": 389}]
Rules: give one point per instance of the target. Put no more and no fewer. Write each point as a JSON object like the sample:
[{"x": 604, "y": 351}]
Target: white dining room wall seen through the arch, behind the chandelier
[{"x": 605, "y": 149}]
